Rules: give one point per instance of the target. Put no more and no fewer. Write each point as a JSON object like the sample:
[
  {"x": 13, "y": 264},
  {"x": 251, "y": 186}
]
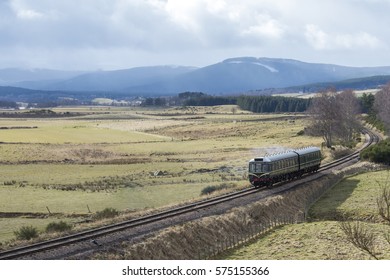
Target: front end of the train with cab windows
[{"x": 259, "y": 172}]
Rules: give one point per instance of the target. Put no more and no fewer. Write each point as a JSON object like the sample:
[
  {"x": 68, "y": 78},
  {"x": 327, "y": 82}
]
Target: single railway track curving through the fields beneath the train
[{"x": 92, "y": 234}]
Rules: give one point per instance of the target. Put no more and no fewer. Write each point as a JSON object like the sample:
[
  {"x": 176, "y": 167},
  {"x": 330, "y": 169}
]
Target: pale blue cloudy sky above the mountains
[{"x": 117, "y": 34}]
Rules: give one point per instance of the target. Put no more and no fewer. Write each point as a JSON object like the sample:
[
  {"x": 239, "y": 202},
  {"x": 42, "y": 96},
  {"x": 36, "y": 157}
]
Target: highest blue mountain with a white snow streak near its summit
[{"x": 245, "y": 74}]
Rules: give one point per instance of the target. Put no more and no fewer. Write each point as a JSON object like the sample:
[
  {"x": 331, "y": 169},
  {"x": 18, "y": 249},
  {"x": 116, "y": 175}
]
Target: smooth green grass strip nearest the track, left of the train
[{"x": 36, "y": 199}]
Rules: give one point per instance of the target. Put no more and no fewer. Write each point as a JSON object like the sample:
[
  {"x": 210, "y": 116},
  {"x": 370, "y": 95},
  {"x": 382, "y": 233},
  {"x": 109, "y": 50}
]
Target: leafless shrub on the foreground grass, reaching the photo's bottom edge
[{"x": 360, "y": 236}]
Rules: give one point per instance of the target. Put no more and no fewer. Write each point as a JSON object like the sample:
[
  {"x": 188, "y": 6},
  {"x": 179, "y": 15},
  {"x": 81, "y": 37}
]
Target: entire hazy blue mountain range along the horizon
[{"x": 234, "y": 75}]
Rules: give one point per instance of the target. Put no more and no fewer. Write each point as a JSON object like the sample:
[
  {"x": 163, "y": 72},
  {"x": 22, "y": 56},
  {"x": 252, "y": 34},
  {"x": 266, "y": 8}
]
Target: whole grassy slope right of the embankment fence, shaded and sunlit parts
[{"x": 322, "y": 238}]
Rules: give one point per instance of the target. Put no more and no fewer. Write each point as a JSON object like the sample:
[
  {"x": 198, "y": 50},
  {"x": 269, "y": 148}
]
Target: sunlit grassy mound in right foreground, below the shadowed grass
[{"x": 322, "y": 240}]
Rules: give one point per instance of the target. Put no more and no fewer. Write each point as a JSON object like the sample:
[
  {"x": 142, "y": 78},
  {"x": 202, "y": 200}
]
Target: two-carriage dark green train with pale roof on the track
[{"x": 270, "y": 169}]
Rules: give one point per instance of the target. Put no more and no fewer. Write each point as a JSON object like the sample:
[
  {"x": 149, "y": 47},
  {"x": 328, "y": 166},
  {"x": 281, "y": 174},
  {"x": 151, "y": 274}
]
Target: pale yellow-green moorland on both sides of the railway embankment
[{"x": 69, "y": 163}]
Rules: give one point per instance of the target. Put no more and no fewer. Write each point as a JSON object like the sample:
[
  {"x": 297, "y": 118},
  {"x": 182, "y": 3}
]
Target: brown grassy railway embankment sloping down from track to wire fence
[{"x": 207, "y": 237}]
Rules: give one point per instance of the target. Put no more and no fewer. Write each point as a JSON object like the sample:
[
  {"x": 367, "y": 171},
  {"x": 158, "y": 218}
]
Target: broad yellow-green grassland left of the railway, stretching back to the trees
[{"x": 131, "y": 158}]
